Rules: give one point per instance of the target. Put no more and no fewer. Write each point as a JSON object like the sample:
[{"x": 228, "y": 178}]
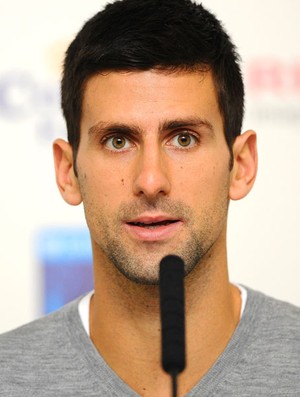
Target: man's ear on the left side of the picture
[{"x": 65, "y": 176}]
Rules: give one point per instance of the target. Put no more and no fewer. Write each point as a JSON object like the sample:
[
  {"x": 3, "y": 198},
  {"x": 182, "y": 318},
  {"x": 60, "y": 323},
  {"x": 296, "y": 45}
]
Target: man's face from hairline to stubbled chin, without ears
[{"x": 153, "y": 170}]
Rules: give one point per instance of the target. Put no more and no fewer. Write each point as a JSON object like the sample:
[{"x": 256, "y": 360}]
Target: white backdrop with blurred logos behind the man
[{"x": 263, "y": 228}]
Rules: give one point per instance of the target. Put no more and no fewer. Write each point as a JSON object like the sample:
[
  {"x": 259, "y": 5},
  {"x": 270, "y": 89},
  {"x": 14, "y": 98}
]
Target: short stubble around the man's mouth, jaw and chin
[{"x": 139, "y": 261}]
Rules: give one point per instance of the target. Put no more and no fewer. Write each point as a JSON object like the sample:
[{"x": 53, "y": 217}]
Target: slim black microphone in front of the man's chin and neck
[{"x": 172, "y": 316}]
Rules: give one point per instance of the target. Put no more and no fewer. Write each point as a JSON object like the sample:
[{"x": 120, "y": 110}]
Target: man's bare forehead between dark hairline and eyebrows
[{"x": 147, "y": 97}]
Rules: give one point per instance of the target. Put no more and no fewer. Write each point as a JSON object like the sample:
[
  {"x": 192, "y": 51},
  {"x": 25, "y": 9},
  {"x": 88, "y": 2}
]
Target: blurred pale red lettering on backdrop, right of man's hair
[{"x": 273, "y": 76}]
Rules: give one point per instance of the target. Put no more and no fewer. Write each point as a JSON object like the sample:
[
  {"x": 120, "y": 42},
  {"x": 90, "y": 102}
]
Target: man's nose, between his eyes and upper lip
[{"x": 151, "y": 173}]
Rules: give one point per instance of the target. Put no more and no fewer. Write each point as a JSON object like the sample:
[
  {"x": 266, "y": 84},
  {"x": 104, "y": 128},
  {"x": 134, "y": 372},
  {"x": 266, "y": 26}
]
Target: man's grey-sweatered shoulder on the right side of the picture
[{"x": 263, "y": 356}]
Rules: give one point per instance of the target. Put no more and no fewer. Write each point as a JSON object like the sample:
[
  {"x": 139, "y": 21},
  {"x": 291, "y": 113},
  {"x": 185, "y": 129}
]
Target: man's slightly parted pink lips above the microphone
[{"x": 152, "y": 228}]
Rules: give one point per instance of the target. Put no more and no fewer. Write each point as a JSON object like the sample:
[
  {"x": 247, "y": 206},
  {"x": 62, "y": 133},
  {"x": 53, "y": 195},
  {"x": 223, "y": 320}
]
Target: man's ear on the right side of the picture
[{"x": 244, "y": 168}]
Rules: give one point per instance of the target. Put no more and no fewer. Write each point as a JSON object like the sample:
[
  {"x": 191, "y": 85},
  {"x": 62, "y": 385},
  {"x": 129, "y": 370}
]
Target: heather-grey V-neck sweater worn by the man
[{"x": 54, "y": 357}]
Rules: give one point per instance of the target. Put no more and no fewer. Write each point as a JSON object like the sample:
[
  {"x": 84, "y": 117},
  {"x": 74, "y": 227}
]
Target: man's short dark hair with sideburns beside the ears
[{"x": 173, "y": 35}]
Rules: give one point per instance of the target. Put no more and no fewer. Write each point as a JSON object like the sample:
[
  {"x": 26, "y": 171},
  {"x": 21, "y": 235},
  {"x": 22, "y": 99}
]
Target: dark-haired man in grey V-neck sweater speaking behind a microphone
[{"x": 153, "y": 99}]
